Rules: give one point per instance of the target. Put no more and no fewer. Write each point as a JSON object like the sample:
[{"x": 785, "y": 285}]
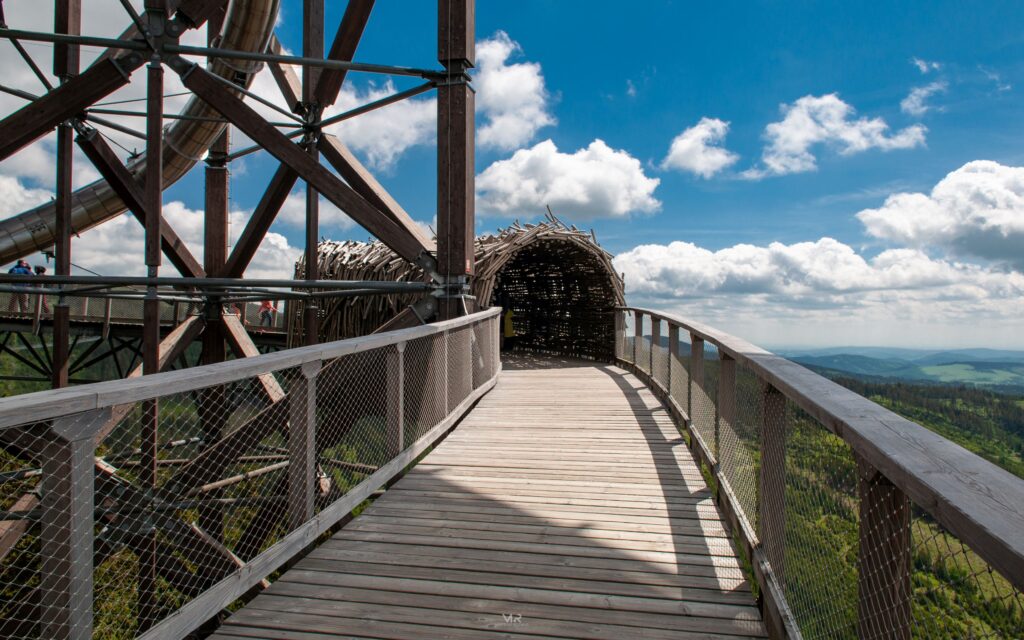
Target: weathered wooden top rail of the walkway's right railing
[{"x": 979, "y": 502}]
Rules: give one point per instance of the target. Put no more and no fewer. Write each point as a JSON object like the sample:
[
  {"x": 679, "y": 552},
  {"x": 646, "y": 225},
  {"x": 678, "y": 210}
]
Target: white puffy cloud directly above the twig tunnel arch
[{"x": 596, "y": 182}]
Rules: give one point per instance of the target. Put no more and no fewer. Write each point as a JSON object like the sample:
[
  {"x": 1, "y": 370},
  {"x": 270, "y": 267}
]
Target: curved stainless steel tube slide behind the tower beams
[{"x": 248, "y": 27}]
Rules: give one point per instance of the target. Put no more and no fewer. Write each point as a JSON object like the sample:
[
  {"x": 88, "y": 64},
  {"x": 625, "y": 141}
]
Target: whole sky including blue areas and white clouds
[{"x": 799, "y": 206}]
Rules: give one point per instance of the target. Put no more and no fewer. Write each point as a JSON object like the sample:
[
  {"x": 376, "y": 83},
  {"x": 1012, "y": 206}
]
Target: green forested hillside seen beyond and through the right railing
[{"x": 956, "y": 594}]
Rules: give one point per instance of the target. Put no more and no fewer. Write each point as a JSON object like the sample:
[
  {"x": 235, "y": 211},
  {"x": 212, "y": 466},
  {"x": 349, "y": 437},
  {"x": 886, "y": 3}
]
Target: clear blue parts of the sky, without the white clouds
[{"x": 738, "y": 62}]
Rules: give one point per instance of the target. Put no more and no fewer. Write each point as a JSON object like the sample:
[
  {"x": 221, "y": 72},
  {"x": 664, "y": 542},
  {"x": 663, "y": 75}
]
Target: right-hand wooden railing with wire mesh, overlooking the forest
[{"x": 856, "y": 522}]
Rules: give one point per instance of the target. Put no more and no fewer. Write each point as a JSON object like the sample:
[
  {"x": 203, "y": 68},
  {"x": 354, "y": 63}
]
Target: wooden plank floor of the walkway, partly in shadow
[{"x": 566, "y": 505}]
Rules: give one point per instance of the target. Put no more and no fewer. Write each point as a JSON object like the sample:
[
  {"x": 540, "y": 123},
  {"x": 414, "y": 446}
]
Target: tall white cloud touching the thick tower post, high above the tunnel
[{"x": 513, "y": 98}]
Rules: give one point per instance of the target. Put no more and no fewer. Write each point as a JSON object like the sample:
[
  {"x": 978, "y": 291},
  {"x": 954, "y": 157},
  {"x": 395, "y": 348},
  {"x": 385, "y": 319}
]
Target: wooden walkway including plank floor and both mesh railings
[{"x": 409, "y": 485}]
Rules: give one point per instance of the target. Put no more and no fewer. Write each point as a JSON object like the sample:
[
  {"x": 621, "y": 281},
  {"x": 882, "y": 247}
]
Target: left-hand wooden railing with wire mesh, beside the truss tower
[{"x": 145, "y": 507}]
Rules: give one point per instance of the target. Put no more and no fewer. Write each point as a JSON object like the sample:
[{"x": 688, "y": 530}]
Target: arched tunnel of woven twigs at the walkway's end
[{"x": 559, "y": 281}]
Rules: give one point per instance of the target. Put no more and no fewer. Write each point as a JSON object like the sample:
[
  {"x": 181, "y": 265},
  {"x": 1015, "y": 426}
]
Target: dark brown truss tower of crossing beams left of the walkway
[{"x": 153, "y": 41}]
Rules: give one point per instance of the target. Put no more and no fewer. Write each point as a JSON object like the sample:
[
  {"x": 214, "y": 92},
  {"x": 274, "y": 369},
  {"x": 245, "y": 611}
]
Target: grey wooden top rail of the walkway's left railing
[{"x": 42, "y": 406}]
